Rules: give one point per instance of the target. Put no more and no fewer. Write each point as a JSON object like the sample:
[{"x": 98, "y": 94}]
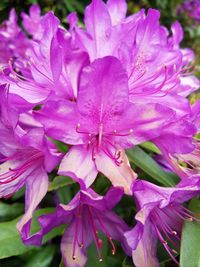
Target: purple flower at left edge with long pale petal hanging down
[{"x": 26, "y": 157}]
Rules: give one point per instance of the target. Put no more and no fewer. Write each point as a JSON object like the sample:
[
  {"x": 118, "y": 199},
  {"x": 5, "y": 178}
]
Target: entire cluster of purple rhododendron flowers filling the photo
[{"x": 100, "y": 88}]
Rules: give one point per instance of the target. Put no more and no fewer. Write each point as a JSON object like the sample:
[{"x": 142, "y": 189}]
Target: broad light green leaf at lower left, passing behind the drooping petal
[{"x": 10, "y": 242}]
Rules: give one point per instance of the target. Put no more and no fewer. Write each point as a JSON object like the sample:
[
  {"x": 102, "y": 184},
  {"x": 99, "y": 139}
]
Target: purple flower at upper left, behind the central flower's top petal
[{"x": 52, "y": 66}]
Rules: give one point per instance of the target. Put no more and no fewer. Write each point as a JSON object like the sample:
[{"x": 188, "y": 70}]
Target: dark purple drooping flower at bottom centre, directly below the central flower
[{"x": 85, "y": 215}]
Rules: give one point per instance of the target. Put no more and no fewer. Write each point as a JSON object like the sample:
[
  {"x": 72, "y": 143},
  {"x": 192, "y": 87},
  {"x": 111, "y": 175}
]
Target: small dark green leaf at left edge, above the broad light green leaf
[{"x": 10, "y": 211}]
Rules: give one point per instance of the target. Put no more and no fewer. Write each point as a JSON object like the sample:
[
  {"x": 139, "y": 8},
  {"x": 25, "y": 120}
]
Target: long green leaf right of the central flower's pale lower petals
[{"x": 151, "y": 167}]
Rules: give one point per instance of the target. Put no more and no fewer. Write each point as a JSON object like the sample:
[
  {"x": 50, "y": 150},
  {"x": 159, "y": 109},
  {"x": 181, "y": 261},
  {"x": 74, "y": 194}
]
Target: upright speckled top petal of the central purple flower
[{"x": 103, "y": 89}]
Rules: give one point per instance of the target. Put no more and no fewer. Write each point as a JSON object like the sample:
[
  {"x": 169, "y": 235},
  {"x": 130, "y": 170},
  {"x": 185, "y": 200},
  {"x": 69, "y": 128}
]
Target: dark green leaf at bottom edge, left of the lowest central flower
[{"x": 43, "y": 257}]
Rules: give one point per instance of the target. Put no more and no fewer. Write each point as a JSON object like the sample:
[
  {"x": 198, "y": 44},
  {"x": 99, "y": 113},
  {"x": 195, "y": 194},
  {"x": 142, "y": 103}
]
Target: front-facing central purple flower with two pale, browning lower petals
[{"x": 101, "y": 124}]
